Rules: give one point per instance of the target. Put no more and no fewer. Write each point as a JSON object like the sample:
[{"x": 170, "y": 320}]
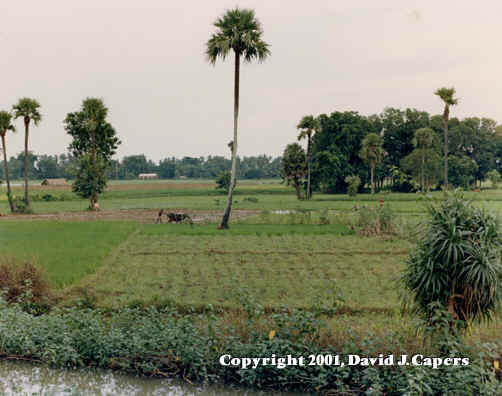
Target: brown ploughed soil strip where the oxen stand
[{"x": 145, "y": 216}]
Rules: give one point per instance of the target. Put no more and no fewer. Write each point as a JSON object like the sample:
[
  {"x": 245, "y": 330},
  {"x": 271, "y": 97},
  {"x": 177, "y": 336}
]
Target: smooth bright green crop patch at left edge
[{"x": 68, "y": 251}]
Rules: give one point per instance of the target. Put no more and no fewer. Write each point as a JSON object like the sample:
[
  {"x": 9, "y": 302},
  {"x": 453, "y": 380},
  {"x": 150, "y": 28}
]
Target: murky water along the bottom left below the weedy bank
[{"x": 23, "y": 379}]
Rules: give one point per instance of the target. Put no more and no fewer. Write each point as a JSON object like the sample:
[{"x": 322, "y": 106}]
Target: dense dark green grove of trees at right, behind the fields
[{"x": 401, "y": 150}]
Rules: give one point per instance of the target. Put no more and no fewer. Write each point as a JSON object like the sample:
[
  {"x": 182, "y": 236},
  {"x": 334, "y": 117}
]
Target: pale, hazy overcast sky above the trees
[{"x": 146, "y": 60}]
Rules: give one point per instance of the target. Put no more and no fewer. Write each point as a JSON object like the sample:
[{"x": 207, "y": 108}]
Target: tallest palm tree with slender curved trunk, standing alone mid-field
[{"x": 238, "y": 30}]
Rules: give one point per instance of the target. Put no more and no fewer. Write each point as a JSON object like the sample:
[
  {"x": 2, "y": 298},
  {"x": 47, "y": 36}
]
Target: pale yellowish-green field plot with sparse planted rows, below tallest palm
[{"x": 195, "y": 270}]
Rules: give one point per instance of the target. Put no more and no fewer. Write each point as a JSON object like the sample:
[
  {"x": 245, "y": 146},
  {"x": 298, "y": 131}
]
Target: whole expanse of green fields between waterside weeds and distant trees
[{"x": 280, "y": 258}]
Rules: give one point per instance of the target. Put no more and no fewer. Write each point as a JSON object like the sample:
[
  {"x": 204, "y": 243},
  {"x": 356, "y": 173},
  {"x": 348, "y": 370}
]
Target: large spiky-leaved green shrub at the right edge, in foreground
[{"x": 457, "y": 261}]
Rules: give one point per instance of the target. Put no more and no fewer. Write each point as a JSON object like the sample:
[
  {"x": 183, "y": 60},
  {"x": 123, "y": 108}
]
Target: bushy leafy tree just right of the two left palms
[{"x": 94, "y": 143}]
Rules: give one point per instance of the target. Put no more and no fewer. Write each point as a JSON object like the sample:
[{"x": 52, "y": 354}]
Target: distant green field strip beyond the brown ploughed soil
[{"x": 199, "y": 194}]
